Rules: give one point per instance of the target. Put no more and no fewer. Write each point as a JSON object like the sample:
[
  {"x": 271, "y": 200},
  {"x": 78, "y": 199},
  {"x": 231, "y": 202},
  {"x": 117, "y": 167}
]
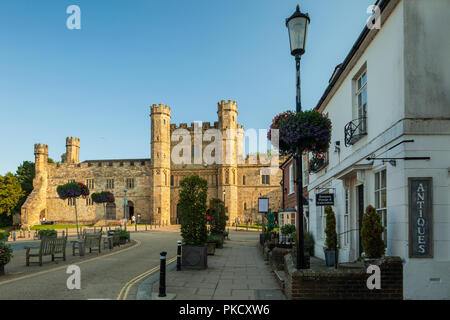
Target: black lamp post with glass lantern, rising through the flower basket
[{"x": 297, "y": 25}]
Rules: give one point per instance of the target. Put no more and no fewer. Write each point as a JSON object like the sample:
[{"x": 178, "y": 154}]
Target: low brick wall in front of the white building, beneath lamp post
[{"x": 343, "y": 283}]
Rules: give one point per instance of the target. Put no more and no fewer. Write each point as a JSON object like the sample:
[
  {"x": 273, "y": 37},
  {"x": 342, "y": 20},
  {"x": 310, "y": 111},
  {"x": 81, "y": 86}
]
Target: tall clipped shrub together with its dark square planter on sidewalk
[{"x": 192, "y": 204}]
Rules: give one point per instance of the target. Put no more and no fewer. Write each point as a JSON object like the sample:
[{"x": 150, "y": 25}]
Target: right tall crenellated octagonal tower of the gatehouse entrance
[{"x": 227, "y": 115}]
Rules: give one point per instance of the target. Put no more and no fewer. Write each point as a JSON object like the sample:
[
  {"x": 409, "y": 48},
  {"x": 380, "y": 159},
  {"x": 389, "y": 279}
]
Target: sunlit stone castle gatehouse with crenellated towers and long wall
[{"x": 152, "y": 184}]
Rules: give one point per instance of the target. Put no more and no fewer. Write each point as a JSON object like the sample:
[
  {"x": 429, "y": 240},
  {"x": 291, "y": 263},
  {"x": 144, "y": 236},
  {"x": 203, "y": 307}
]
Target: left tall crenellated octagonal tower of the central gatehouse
[{"x": 160, "y": 155}]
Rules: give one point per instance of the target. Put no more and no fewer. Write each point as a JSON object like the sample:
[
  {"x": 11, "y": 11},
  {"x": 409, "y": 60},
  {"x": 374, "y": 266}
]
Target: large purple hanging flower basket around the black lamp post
[{"x": 302, "y": 131}]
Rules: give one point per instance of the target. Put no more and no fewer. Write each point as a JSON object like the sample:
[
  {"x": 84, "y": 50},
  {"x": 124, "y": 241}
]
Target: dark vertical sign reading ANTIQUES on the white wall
[{"x": 420, "y": 217}]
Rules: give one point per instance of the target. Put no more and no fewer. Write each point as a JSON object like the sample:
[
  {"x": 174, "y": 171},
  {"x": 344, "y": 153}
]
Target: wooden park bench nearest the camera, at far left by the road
[{"x": 47, "y": 247}]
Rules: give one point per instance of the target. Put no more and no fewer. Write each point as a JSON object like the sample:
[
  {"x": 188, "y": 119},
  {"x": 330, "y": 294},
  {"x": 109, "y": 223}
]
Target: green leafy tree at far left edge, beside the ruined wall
[{"x": 10, "y": 194}]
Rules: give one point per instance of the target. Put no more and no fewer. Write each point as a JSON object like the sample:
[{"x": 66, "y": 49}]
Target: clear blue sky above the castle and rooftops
[{"x": 97, "y": 83}]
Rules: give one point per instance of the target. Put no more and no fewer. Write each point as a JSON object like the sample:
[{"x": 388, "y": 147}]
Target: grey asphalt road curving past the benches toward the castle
[{"x": 101, "y": 278}]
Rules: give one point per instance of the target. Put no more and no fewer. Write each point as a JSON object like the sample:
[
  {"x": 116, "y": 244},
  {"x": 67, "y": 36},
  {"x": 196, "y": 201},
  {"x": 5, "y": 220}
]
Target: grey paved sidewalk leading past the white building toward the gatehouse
[{"x": 236, "y": 272}]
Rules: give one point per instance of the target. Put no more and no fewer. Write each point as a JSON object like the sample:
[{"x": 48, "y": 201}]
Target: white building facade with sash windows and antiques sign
[{"x": 389, "y": 101}]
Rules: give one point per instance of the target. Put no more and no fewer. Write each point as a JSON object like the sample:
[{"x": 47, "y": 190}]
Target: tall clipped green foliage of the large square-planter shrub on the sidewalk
[{"x": 193, "y": 195}]
